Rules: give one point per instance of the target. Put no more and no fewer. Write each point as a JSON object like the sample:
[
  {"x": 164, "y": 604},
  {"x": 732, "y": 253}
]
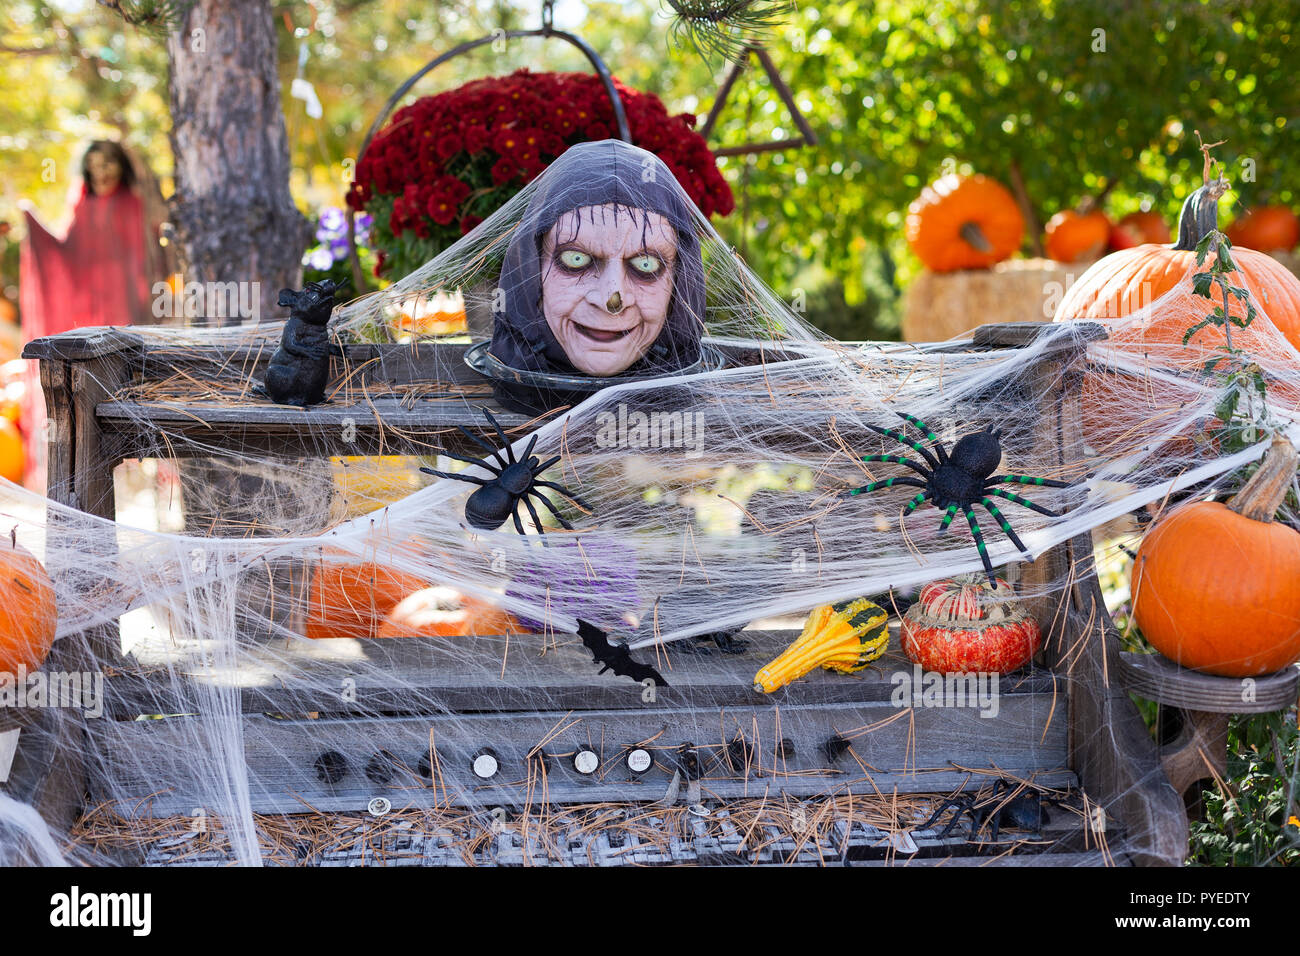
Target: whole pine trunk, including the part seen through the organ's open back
[{"x": 235, "y": 222}]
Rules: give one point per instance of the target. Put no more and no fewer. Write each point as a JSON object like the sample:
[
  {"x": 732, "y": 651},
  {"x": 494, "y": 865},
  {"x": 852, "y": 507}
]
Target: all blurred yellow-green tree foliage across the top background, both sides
[{"x": 899, "y": 92}]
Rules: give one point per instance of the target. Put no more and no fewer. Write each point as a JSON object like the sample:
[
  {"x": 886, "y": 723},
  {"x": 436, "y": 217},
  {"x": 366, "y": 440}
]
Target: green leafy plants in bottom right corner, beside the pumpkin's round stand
[{"x": 1258, "y": 821}]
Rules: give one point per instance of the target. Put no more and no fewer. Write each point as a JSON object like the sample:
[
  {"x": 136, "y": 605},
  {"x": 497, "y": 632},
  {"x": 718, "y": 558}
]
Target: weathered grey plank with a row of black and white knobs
[{"x": 887, "y": 749}]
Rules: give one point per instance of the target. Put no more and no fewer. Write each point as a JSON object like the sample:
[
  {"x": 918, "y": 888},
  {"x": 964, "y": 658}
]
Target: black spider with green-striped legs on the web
[{"x": 960, "y": 481}]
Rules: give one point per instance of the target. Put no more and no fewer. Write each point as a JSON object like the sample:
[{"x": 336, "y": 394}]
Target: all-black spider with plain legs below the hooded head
[{"x": 515, "y": 482}]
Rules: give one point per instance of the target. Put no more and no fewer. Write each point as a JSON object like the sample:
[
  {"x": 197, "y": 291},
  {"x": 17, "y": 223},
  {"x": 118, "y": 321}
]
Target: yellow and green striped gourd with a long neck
[{"x": 843, "y": 638}]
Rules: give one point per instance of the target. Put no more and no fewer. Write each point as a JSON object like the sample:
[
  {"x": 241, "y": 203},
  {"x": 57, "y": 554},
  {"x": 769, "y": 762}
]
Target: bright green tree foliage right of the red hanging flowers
[{"x": 900, "y": 92}]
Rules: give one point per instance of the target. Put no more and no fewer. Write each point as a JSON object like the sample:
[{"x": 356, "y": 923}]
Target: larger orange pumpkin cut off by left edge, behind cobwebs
[{"x": 28, "y": 612}]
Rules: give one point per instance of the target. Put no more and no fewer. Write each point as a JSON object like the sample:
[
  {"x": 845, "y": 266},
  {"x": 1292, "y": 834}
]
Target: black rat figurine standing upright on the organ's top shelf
[{"x": 300, "y": 370}]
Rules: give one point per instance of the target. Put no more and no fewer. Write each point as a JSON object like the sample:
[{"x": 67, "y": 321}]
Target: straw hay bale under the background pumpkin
[{"x": 942, "y": 306}]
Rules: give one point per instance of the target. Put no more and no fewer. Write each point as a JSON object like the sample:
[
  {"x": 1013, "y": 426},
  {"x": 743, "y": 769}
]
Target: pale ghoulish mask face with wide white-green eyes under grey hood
[{"x": 608, "y": 278}]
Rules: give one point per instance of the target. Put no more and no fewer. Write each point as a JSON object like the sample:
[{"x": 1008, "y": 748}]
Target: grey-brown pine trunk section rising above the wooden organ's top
[{"x": 233, "y": 214}]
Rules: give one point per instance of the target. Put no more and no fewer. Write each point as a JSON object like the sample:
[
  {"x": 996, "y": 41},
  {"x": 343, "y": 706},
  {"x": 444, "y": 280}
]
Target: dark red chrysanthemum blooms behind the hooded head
[{"x": 447, "y": 162}]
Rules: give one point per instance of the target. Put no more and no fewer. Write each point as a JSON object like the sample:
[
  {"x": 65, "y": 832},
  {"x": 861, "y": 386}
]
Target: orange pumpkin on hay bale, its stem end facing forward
[{"x": 964, "y": 223}]
